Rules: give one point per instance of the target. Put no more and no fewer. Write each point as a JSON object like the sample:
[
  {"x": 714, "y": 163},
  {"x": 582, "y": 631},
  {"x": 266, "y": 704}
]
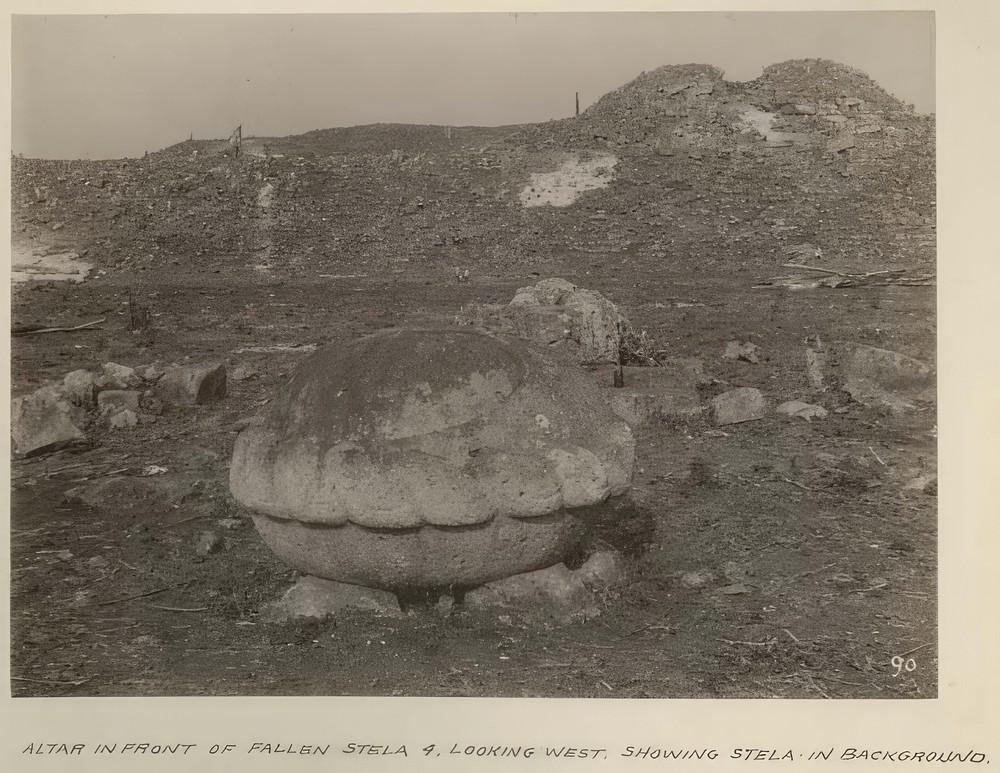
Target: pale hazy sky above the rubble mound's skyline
[{"x": 115, "y": 86}]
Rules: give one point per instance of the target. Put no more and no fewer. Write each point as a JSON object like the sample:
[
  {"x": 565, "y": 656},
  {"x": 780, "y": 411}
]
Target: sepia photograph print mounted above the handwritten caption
[{"x": 474, "y": 355}]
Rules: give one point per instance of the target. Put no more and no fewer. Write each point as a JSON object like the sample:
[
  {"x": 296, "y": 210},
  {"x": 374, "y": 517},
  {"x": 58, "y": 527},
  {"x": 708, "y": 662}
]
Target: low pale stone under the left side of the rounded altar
[{"x": 317, "y": 598}]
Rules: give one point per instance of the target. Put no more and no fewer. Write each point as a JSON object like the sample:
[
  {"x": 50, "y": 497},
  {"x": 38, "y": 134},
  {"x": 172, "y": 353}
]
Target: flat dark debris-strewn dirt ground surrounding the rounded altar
[{"x": 814, "y": 574}]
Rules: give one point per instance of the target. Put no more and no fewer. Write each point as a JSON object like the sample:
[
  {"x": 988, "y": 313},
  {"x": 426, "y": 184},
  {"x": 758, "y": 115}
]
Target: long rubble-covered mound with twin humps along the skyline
[{"x": 811, "y": 155}]
